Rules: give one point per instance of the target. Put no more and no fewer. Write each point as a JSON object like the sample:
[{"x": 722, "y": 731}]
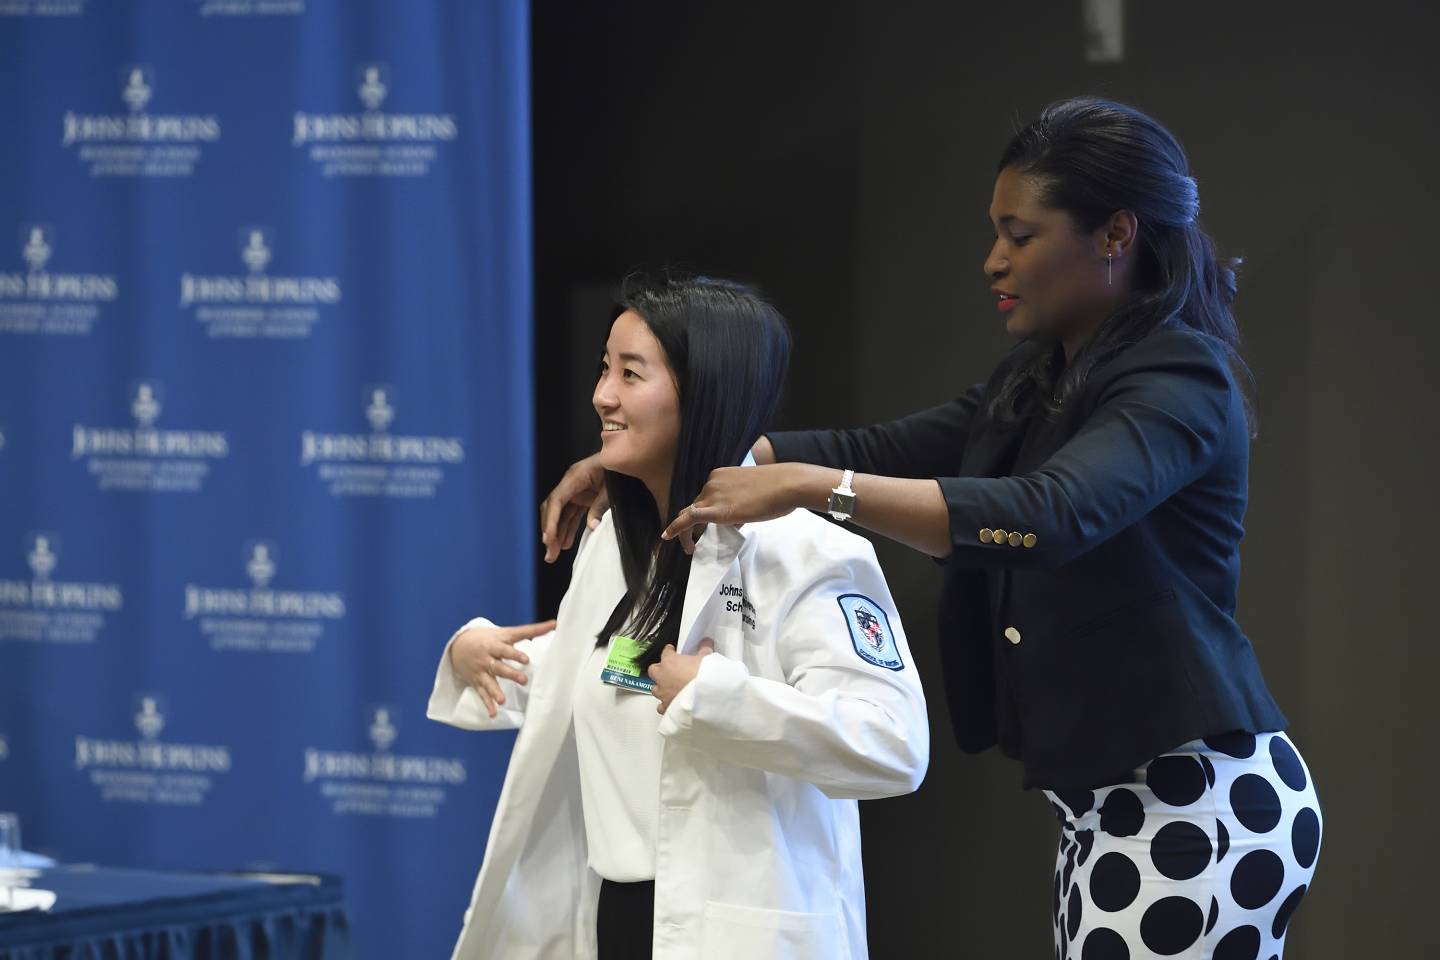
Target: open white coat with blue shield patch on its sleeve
[{"x": 810, "y": 703}]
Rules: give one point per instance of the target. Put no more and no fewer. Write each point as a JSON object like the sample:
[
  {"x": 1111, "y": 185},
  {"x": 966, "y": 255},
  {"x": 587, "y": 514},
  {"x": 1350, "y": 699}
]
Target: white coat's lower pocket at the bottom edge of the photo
[{"x": 729, "y": 930}]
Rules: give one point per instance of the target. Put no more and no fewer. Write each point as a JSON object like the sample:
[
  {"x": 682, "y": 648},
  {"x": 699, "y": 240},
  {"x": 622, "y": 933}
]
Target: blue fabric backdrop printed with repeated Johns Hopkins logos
[{"x": 266, "y": 434}]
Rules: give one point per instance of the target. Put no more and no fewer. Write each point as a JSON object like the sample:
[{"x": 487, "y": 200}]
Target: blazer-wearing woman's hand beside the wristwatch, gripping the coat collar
[{"x": 737, "y": 496}]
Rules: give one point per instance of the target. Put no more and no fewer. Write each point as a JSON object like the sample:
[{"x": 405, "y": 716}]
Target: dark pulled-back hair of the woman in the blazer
[{"x": 1094, "y": 158}]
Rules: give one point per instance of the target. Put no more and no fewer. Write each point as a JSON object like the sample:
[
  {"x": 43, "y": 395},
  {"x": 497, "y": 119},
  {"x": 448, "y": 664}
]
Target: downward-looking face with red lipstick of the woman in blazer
[{"x": 1049, "y": 276}]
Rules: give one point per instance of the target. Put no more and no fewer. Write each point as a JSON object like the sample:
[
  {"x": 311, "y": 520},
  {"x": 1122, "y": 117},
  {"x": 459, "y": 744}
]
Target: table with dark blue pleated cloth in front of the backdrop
[{"x": 136, "y": 915}]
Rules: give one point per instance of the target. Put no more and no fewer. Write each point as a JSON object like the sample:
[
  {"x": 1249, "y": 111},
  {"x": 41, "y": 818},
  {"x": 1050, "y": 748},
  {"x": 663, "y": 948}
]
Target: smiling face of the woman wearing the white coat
[{"x": 639, "y": 404}]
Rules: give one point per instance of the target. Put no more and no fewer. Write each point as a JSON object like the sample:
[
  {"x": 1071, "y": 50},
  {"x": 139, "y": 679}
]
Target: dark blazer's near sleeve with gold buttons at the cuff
[{"x": 1158, "y": 425}]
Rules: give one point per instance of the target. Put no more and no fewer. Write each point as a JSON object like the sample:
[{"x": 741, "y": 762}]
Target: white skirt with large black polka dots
[{"x": 1205, "y": 857}]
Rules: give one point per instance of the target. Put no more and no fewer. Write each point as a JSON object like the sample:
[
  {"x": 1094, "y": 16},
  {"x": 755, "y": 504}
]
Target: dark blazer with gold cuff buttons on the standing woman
[{"x": 1088, "y": 614}]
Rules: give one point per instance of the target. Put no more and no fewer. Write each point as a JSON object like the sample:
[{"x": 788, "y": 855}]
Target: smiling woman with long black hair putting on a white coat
[{"x": 695, "y": 730}]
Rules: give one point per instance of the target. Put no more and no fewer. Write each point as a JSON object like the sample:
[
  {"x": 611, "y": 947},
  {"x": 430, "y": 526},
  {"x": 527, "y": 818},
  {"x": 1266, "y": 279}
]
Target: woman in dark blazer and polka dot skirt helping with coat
[{"x": 1086, "y": 503}]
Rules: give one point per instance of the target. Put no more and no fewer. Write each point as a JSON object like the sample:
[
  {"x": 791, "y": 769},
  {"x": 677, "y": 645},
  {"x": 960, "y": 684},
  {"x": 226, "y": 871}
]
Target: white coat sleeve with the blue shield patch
[{"x": 852, "y": 728}]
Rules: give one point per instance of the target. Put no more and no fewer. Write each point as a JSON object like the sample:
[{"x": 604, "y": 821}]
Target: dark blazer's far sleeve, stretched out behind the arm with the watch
[{"x": 924, "y": 444}]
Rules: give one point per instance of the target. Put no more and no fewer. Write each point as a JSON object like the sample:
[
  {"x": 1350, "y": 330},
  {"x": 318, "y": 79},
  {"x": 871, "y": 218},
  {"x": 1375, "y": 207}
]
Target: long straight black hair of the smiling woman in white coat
[{"x": 728, "y": 349}]
